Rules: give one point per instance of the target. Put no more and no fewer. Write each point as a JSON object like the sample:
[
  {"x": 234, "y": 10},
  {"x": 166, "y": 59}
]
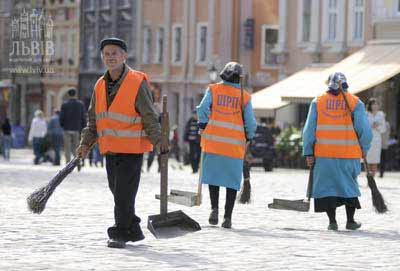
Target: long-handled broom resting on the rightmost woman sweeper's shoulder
[{"x": 377, "y": 199}]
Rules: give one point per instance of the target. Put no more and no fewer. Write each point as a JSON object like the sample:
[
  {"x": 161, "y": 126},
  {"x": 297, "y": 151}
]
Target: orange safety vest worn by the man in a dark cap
[{"x": 119, "y": 127}]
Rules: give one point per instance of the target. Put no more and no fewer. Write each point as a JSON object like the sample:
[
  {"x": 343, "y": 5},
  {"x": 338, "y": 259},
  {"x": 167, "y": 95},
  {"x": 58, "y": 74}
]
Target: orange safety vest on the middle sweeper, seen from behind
[{"x": 224, "y": 133}]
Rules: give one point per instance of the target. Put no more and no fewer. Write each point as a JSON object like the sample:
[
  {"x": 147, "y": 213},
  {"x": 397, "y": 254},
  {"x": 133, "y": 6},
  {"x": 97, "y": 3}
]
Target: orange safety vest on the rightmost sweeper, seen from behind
[{"x": 335, "y": 135}]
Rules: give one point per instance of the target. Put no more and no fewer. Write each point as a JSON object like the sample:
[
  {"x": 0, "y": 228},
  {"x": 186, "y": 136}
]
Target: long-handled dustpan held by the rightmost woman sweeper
[{"x": 301, "y": 205}]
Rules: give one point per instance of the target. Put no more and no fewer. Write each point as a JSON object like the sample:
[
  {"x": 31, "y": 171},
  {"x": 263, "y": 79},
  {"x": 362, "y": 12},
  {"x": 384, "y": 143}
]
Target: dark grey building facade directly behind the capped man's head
[{"x": 101, "y": 19}]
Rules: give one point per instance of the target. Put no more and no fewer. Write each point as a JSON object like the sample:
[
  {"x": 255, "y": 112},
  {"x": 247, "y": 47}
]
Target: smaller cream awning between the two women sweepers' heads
[{"x": 267, "y": 100}]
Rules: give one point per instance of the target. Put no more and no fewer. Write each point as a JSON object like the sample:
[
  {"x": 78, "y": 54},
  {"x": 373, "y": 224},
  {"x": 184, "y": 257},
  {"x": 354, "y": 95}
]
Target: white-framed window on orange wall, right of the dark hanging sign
[{"x": 269, "y": 38}]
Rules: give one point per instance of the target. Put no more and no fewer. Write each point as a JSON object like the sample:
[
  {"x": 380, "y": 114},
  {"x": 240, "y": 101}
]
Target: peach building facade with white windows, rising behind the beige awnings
[{"x": 319, "y": 33}]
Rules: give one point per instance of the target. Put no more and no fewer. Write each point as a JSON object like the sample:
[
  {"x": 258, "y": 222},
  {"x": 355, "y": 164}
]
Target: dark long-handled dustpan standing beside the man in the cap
[{"x": 168, "y": 224}]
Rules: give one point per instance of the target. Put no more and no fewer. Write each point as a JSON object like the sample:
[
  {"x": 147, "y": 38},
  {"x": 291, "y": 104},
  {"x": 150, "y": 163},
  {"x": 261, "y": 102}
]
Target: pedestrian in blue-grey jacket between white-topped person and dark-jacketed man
[{"x": 55, "y": 132}]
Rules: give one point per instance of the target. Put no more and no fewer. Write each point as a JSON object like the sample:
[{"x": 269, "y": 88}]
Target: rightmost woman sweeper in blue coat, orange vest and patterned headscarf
[{"x": 330, "y": 145}]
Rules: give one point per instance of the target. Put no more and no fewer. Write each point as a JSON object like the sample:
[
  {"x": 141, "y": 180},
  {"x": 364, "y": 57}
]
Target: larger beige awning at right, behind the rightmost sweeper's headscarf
[{"x": 366, "y": 68}]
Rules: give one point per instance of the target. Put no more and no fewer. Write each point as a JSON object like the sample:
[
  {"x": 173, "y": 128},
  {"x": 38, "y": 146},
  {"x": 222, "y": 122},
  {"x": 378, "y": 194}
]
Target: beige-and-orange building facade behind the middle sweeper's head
[{"x": 182, "y": 42}]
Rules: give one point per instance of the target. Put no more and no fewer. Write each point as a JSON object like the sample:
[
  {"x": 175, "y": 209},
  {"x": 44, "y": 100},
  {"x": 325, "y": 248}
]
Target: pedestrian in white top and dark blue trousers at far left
[{"x": 37, "y": 134}]
